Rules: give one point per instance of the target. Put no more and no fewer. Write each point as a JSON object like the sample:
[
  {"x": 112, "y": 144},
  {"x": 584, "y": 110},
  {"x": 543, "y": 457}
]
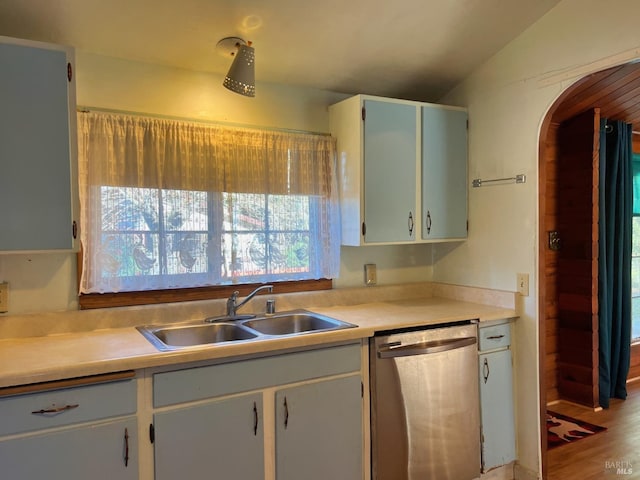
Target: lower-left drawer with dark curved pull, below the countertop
[{"x": 67, "y": 406}]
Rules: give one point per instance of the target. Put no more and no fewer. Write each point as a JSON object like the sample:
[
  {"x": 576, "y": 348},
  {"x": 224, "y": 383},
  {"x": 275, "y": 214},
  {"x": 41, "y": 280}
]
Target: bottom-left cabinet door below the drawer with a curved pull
[{"x": 98, "y": 452}]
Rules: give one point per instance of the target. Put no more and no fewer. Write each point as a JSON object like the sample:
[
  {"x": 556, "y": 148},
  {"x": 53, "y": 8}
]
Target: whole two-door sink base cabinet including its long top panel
[{"x": 285, "y": 417}]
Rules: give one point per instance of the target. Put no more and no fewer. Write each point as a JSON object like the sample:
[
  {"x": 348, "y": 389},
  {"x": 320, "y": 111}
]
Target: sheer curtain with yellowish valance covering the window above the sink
[{"x": 173, "y": 204}]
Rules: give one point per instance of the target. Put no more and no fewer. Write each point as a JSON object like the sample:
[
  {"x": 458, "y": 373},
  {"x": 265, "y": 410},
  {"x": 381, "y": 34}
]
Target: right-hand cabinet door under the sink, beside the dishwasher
[{"x": 319, "y": 431}]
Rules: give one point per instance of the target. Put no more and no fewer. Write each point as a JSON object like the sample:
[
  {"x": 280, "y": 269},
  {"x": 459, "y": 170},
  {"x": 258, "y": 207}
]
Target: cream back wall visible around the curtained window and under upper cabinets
[{"x": 47, "y": 282}]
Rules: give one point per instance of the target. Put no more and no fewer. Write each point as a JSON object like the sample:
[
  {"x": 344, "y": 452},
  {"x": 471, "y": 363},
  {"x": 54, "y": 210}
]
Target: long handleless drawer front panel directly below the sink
[{"x": 216, "y": 380}]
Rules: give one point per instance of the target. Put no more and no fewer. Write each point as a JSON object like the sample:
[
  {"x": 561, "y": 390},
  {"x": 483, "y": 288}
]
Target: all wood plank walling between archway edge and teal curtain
[{"x": 570, "y": 275}]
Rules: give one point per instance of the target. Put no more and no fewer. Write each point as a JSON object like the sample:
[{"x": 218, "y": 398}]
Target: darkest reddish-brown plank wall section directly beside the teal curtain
[{"x": 577, "y": 270}]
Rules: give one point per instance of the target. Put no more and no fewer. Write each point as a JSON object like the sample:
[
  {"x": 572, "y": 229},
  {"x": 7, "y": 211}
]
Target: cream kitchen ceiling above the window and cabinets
[{"x": 415, "y": 49}]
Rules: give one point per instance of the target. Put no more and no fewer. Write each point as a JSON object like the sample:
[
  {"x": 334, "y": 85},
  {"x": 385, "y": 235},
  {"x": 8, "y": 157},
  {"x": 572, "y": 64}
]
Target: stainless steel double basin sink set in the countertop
[{"x": 237, "y": 329}]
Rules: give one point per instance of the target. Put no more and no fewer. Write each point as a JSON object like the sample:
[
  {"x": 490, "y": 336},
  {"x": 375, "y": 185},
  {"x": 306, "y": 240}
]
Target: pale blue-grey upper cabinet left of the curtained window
[{"x": 38, "y": 187}]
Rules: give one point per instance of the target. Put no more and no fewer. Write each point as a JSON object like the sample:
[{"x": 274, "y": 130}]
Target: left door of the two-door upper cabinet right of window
[{"x": 390, "y": 168}]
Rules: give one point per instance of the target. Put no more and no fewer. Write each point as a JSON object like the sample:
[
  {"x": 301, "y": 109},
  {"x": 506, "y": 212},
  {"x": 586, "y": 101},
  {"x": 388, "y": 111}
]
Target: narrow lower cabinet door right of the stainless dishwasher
[{"x": 496, "y": 400}]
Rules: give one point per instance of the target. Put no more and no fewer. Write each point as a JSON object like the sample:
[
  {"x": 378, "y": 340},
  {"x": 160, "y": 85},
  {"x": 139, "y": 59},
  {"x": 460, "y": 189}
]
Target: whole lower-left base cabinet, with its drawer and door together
[{"x": 70, "y": 434}]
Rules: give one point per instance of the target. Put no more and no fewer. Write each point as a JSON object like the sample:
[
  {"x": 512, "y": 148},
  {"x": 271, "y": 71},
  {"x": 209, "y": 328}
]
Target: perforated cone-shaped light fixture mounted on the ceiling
[{"x": 241, "y": 76}]
